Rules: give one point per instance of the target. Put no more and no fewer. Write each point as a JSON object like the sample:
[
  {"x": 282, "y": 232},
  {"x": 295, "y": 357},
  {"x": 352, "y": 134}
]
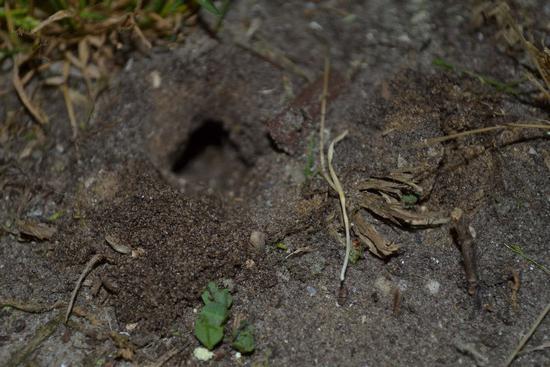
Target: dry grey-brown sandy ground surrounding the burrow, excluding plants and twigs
[{"x": 183, "y": 171}]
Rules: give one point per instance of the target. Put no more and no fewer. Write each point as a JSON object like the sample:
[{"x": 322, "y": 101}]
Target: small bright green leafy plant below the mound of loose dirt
[{"x": 209, "y": 327}]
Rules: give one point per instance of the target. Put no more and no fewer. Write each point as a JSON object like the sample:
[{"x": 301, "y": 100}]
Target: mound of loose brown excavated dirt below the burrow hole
[{"x": 180, "y": 243}]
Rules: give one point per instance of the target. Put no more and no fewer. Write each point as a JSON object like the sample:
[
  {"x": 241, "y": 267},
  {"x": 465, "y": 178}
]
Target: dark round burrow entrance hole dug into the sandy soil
[{"x": 210, "y": 158}]
